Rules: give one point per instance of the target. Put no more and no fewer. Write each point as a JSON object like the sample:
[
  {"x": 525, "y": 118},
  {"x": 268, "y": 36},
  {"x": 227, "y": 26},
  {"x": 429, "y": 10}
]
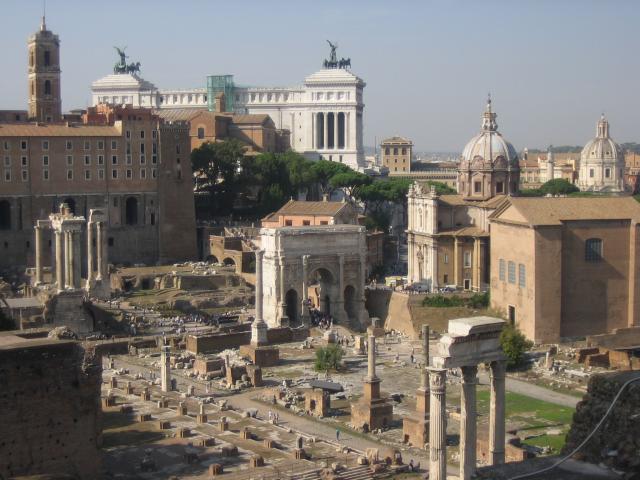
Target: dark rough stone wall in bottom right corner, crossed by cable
[{"x": 619, "y": 433}]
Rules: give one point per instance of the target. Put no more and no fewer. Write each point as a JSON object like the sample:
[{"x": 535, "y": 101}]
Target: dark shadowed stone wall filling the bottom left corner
[{"x": 50, "y": 417}]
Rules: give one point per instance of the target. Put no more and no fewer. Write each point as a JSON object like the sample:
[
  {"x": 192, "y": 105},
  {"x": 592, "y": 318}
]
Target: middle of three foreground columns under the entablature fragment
[{"x": 468, "y": 416}]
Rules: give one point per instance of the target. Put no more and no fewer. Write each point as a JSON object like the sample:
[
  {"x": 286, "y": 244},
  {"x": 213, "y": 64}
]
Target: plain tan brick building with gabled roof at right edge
[{"x": 566, "y": 267}]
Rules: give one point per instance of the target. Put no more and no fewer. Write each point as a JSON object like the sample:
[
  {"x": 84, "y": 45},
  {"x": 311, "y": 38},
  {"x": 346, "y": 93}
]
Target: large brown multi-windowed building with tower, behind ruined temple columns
[{"x": 124, "y": 160}]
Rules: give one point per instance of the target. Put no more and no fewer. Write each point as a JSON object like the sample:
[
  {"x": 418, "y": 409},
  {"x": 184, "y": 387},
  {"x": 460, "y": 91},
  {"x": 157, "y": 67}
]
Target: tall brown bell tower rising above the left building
[{"x": 45, "y": 104}]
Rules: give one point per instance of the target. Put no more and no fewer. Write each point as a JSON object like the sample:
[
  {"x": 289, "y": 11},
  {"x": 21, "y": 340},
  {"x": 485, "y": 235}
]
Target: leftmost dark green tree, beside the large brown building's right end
[{"x": 219, "y": 168}]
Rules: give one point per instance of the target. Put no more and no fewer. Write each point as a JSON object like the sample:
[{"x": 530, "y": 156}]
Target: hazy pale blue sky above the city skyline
[{"x": 552, "y": 66}]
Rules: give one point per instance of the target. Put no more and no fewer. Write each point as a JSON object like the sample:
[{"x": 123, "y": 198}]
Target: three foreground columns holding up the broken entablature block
[{"x": 468, "y": 429}]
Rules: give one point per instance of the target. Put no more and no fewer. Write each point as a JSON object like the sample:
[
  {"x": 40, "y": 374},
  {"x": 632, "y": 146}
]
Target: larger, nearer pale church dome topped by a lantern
[{"x": 489, "y": 149}]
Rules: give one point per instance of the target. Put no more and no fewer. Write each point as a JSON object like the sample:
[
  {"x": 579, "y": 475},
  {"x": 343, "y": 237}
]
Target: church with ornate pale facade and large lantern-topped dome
[{"x": 448, "y": 235}]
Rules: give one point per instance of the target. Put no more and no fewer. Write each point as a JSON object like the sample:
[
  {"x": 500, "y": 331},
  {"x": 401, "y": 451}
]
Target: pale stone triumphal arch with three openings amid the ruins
[{"x": 323, "y": 266}]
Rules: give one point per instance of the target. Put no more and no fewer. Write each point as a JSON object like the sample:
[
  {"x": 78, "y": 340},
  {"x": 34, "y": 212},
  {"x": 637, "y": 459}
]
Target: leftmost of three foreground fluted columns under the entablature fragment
[{"x": 438, "y": 424}]
